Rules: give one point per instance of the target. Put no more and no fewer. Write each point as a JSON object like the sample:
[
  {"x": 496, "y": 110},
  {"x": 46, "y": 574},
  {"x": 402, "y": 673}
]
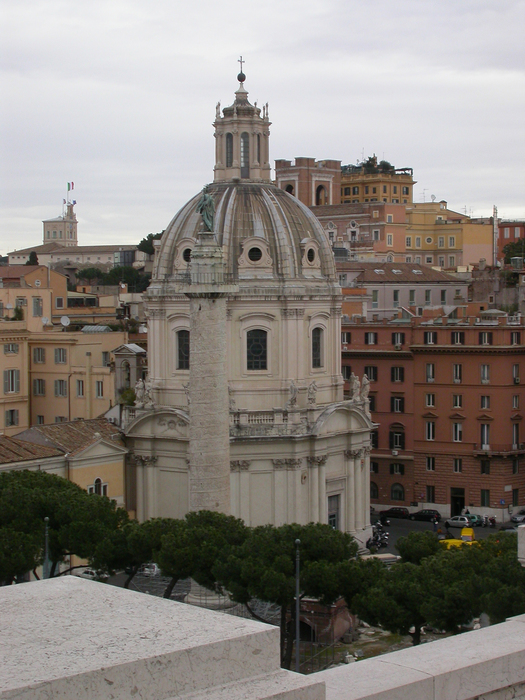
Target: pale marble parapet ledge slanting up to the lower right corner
[{"x": 486, "y": 664}]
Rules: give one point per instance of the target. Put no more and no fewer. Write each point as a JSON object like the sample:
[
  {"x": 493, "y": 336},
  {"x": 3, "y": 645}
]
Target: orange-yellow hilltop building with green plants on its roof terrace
[{"x": 371, "y": 181}]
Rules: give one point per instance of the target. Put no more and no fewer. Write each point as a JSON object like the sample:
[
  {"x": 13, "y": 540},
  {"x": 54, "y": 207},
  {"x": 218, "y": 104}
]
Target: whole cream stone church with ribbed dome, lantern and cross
[{"x": 243, "y": 408}]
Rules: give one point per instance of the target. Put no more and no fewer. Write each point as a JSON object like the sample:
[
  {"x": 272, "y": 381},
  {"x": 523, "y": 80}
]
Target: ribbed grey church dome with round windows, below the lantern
[{"x": 264, "y": 232}]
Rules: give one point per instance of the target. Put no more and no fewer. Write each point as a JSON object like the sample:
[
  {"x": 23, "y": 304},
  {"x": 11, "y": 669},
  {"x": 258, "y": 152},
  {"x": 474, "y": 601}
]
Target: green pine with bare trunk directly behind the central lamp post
[{"x": 264, "y": 567}]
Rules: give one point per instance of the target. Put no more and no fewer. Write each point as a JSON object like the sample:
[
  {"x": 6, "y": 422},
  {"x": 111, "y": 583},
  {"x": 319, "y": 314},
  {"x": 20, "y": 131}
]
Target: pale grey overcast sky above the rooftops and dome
[{"x": 119, "y": 96}]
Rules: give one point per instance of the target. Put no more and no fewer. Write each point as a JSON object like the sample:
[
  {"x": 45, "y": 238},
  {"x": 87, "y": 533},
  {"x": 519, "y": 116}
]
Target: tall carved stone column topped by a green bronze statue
[{"x": 209, "y": 443}]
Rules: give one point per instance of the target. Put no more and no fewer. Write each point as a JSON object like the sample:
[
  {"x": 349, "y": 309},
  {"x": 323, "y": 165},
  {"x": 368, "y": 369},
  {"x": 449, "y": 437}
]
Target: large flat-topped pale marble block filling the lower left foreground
[{"x": 71, "y": 638}]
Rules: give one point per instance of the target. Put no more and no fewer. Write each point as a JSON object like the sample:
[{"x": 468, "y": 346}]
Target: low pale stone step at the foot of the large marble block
[{"x": 281, "y": 685}]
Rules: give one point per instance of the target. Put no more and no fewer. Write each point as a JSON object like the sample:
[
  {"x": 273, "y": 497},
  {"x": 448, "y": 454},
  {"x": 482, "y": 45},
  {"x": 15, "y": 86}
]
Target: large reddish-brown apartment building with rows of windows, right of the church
[{"x": 447, "y": 394}]
